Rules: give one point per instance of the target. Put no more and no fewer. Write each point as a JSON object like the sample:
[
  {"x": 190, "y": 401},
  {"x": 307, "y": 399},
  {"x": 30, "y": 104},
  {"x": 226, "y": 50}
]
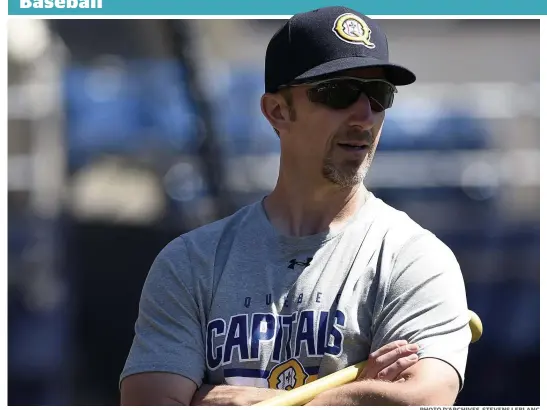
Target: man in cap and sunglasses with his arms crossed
[{"x": 318, "y": 275}]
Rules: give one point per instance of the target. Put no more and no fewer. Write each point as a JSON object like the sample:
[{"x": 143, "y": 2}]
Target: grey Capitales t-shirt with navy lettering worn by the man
[{"x": 235, "y": 302}]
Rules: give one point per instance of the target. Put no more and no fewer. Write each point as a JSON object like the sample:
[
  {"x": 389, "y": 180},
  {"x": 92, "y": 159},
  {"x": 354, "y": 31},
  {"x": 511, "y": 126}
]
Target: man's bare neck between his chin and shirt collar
[{"x": 303, "y": 210}]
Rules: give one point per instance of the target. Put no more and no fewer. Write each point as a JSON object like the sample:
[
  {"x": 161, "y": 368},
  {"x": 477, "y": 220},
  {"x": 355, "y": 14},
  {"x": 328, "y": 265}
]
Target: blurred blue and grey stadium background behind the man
[{"x": 123, "y": 134}]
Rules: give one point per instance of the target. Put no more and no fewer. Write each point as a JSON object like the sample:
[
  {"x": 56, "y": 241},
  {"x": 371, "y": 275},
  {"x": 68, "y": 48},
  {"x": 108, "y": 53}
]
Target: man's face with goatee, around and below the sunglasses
[{"x": 339, "y": 143}]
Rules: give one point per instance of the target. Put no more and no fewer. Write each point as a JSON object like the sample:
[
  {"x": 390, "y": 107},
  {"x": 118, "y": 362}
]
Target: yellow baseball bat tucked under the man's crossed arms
[{"x": 306, "y": 393}]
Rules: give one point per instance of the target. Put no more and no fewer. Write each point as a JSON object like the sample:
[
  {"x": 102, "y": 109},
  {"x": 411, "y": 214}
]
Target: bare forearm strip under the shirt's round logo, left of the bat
[{"x": 226, "y": 395}]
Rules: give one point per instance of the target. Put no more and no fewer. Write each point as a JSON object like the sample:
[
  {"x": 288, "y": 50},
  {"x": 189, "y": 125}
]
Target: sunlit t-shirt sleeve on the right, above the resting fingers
[{"x": 425, "y": 302}]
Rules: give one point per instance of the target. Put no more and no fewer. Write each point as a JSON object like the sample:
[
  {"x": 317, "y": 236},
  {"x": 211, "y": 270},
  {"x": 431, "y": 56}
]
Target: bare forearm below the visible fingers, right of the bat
[{"x": 368, "y": 393}]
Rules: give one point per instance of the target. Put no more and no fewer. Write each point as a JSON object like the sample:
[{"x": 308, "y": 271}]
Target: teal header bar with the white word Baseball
[{"x": 278, "y": 7}]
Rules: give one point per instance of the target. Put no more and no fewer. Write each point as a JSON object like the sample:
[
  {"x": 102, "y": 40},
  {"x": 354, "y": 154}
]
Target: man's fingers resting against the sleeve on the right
[{"x": 390, "y": 360}]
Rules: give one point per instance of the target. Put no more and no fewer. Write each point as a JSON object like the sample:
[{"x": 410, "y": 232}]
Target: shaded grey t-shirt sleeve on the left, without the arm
[{"x": 168, "y": 335}]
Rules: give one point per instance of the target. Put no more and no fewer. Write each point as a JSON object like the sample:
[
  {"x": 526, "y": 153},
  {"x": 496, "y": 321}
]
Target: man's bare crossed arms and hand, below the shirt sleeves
[{"x": 393, "y": 377}]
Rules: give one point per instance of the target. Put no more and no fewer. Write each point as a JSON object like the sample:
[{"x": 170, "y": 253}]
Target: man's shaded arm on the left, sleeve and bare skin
[{"x": 166, "y": 362}]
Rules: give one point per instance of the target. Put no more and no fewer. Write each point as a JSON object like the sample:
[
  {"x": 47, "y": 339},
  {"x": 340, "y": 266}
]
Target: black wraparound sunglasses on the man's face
[{"x": 342, "y": 92}]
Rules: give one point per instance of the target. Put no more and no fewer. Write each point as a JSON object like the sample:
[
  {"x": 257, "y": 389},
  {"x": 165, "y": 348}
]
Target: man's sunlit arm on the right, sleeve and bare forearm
[{"x": 423, "y": 302}]
